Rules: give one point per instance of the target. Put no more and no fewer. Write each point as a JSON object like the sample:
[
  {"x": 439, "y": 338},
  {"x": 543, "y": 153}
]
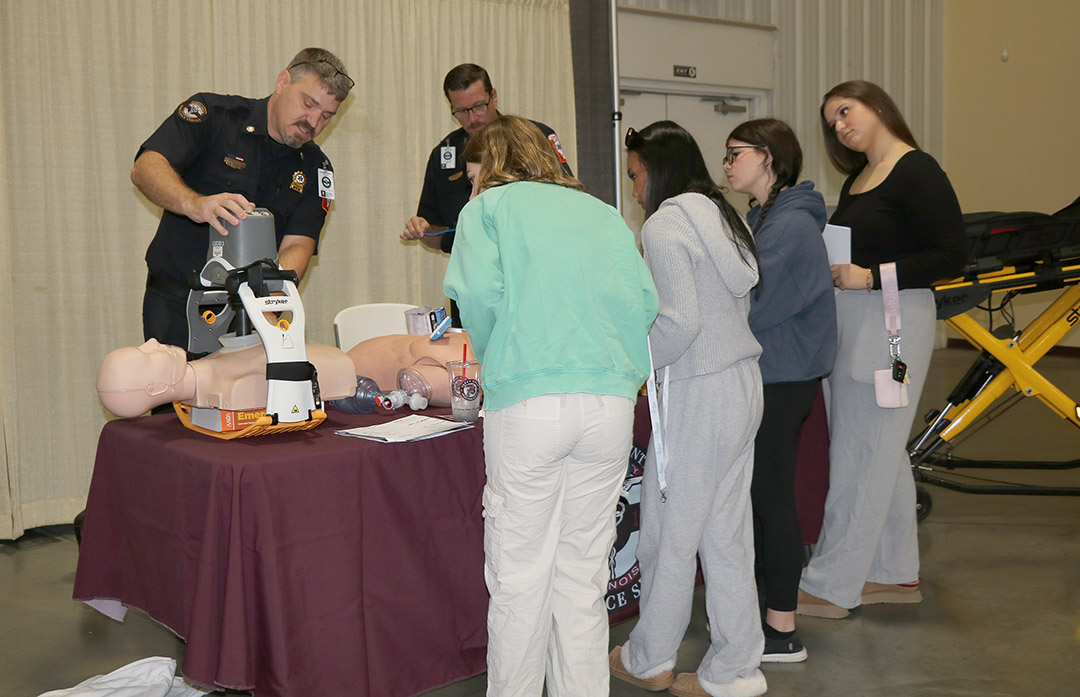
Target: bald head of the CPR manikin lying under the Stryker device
[{"x": 133, "y": 380}]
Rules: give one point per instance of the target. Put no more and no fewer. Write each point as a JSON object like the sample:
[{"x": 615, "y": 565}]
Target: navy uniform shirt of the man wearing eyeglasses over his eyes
[{"x": 447, "y": 192}]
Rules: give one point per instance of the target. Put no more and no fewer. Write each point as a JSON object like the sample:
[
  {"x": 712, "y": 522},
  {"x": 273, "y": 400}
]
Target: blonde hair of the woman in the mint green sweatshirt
[{"x": 515, "y": 150}]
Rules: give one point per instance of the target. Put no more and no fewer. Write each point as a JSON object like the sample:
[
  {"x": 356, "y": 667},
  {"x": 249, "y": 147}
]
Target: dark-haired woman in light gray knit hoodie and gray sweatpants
[{"x": 696, "y": 489}]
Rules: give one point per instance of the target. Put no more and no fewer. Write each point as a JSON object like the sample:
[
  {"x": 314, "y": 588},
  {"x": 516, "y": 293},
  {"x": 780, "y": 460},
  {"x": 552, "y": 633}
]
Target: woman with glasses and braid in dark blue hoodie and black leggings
[{"x": 793, "y": 316}]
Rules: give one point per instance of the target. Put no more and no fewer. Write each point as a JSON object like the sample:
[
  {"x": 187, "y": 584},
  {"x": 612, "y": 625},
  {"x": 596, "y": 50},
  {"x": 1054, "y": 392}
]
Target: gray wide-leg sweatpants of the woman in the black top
[{"x": 869, "y": 533}]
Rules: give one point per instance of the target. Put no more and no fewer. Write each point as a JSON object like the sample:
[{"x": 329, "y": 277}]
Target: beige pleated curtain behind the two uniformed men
[{"x": 85, "y": 84}]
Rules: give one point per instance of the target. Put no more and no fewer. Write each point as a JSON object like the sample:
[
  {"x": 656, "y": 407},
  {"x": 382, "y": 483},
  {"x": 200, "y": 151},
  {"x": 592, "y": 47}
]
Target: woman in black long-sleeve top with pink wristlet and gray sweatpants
[{"x": 901, "y": 209}]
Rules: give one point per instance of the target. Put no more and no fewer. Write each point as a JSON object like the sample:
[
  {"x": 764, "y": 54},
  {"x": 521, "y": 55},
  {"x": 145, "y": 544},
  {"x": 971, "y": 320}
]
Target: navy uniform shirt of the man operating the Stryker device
[{"x": 221, "y": 144}]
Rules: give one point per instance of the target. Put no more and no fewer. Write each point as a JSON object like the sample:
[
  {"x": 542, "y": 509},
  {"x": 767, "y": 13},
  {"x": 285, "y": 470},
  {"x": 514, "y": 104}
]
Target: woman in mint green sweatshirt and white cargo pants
[{"x": 558, "y": 303}]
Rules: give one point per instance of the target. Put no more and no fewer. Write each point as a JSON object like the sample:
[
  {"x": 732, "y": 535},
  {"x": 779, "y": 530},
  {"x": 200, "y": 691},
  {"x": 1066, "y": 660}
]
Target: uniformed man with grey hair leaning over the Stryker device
[{"x": 217, "y": 158}]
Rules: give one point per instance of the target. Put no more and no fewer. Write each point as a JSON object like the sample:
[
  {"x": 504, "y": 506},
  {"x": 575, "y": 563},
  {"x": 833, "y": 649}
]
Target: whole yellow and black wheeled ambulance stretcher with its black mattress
[{"x": 1009, "y": 256}]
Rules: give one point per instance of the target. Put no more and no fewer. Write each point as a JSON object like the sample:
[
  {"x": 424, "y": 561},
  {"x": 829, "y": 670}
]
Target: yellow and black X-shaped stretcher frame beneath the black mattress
[{"x": 1004, "y": 365}]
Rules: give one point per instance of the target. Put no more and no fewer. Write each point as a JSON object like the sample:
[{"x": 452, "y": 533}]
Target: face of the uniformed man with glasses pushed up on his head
[{"x": 300, "y": 111}]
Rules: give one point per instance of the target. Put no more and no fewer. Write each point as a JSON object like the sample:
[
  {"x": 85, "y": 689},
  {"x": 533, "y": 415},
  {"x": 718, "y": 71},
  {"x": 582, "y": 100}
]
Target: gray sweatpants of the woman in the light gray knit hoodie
[{"x": 710, "y": 445}]
